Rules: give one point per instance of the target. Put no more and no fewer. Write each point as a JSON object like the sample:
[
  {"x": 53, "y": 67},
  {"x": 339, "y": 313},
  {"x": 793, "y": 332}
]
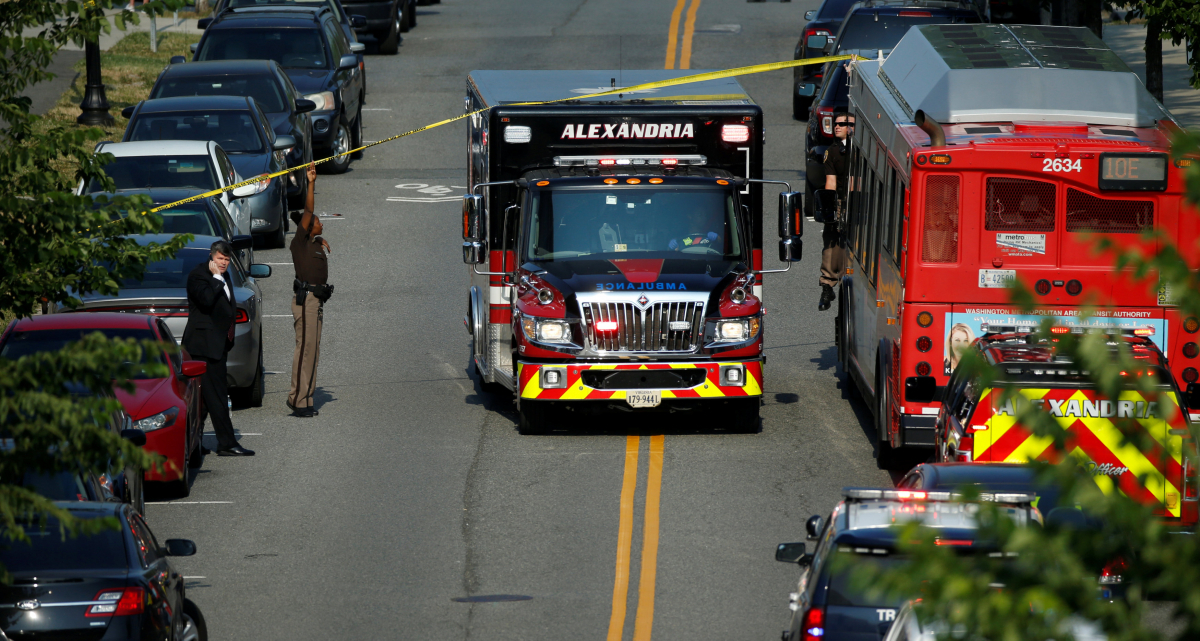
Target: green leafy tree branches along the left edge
[{"x": 53, "y": 245}]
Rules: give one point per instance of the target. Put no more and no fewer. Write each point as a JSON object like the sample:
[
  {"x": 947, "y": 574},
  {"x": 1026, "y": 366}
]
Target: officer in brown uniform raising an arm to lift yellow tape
[{"x": 310, "y": 257}]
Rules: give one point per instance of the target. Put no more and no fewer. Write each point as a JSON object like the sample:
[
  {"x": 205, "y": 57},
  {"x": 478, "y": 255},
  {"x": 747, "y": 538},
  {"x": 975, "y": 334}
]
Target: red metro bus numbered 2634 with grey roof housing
[{"x": 986, "y": 154}]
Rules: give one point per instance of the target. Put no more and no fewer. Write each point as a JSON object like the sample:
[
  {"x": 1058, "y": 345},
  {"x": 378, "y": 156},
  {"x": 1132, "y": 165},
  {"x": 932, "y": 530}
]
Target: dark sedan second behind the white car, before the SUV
[{"x": 262, "y": 81}]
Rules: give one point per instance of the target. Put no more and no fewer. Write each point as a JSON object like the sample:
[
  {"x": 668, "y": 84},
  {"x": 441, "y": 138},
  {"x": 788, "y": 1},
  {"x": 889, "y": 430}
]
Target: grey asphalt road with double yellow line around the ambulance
[{"x": 413, "y": 489}]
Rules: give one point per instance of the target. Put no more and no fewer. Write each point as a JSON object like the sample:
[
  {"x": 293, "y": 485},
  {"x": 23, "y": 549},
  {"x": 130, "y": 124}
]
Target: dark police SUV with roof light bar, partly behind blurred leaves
[{"x": 827, "y": 604}]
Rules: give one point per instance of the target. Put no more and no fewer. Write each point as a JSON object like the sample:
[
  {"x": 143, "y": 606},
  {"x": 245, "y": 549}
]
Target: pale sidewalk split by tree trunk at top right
[{"x": 1127, "y": 40}]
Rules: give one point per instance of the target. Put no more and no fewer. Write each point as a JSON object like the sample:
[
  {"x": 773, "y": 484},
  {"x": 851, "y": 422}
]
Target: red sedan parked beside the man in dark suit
[{"x": 167, "y": 410}]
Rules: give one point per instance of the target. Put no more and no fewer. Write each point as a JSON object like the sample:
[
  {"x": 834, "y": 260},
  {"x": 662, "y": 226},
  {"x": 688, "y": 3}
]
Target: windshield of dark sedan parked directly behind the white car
[{"x": 236, "y": 131}]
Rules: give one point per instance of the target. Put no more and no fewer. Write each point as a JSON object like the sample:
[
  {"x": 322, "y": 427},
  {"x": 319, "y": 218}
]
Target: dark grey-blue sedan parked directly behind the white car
[{"x": 242, "y": 129}]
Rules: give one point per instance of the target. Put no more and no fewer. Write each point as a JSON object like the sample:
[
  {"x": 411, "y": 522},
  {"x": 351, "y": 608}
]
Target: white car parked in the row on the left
[{"x": 189, "y": 165}]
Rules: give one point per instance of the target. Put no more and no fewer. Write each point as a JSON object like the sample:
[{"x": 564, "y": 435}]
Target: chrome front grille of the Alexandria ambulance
[{"x": 645, "y": 331}]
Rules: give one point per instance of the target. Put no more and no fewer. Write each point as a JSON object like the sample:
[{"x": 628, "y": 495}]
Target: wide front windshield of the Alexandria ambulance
[{"x": 615, "y": 223}]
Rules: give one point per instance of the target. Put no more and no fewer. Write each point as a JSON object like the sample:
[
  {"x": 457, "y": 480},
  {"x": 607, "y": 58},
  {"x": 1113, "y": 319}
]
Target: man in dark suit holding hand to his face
[{"x": 212, "y": 311}]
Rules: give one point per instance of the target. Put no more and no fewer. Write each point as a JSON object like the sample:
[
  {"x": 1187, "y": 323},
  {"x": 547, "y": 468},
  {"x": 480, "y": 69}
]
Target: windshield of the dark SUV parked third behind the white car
[{"x": 292, "y": 49}]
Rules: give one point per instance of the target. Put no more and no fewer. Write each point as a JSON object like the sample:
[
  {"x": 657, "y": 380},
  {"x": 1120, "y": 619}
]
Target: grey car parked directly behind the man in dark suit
[{"x": 164, "y": 292}]
